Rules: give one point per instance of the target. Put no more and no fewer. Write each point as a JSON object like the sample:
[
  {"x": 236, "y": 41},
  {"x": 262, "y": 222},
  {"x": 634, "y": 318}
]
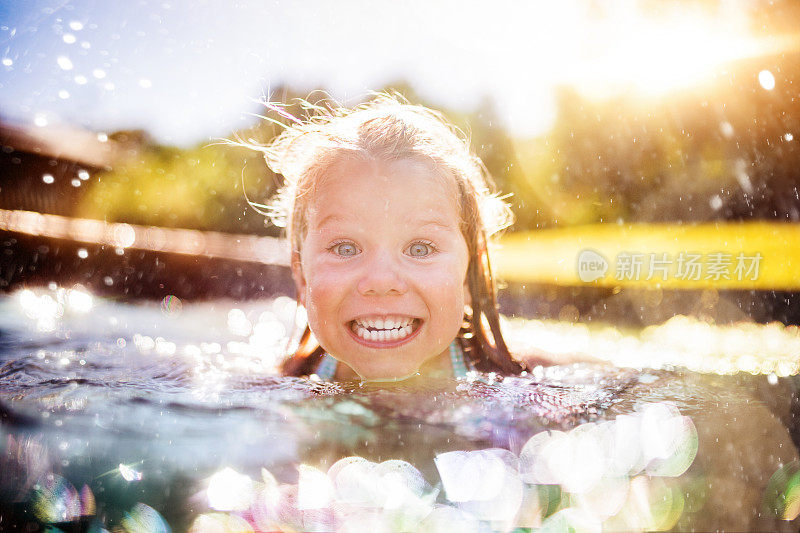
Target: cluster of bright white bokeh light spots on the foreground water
[{"x": 572, "y": 479}]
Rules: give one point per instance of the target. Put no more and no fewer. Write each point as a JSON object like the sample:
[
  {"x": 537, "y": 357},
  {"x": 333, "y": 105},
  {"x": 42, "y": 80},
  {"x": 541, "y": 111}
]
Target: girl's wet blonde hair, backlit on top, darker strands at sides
[{"x": 387, "y": 129}]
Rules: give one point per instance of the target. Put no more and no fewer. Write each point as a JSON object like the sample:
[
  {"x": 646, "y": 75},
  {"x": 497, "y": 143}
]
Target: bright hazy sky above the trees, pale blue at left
[{"x": 188, "y": 71}]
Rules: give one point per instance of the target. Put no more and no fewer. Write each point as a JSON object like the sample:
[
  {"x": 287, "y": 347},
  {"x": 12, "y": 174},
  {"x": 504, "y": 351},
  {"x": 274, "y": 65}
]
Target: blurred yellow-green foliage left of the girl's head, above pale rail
[{"x": 199, "y": 188}]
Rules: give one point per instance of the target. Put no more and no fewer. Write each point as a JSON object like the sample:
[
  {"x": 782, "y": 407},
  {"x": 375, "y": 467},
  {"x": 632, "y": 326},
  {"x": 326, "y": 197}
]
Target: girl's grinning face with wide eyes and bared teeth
[{"x": 383, "y": 265}]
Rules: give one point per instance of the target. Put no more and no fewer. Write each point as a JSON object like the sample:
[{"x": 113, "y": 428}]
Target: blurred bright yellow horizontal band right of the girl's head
[{"x": 752, "y": 255}]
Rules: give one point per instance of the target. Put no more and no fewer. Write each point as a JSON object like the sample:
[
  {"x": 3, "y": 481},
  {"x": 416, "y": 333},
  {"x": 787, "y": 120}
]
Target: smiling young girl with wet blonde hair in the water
[{"x": 388, "y": 215}]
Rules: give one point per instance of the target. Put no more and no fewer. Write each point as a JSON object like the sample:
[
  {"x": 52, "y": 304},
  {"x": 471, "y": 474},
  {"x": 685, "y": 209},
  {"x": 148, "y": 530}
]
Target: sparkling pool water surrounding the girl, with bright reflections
[{"x": 169, "y": 417}]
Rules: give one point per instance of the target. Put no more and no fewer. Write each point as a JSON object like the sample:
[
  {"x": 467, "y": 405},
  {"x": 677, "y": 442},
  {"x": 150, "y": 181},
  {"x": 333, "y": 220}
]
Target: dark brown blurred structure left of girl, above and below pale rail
[{"x": 47, "y": 171}]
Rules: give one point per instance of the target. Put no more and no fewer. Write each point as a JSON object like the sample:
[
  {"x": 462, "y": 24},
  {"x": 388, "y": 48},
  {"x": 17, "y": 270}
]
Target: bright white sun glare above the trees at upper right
[{"x": 629, "y": 50}]
